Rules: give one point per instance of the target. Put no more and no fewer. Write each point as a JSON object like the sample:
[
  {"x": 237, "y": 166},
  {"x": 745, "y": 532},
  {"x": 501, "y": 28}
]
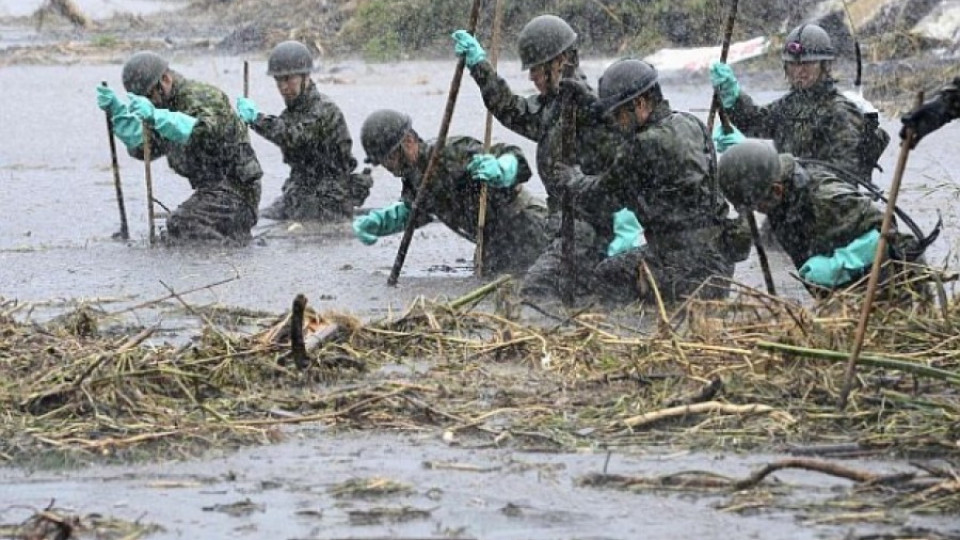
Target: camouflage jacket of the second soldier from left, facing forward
[{"x": 313, "y": 136}]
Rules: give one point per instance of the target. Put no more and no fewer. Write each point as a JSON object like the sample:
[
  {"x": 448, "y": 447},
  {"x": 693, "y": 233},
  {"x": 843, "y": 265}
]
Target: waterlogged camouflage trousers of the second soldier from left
[{"x": 333, "y": 199}]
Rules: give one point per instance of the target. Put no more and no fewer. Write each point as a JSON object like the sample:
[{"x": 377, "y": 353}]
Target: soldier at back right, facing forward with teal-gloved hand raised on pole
[{"x": 814, "y": 120}]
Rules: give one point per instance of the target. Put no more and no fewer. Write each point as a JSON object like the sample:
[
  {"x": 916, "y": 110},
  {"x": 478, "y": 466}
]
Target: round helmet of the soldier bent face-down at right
[{"x": 747, "y": 170}]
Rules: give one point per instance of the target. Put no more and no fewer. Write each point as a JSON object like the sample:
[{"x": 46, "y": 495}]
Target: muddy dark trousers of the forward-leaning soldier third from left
[{"x": 521, "y": 233}]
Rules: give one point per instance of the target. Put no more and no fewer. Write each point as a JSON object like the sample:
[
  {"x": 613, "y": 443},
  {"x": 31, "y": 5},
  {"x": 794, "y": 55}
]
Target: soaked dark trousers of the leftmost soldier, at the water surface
[{"x": 214, "y": 213}]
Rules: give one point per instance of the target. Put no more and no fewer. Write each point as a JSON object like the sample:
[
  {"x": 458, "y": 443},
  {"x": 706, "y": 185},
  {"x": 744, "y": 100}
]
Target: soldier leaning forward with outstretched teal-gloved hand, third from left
[{"x": 516, "y": 228}]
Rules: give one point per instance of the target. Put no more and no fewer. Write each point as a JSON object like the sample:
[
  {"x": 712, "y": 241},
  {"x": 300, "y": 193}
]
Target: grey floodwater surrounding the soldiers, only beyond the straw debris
[{"x": 58, "y": 210}]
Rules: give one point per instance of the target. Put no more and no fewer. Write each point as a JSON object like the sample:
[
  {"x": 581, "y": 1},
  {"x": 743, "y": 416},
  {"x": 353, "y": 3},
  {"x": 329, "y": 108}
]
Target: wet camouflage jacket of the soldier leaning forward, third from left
[{"x": 454, "y": 196}]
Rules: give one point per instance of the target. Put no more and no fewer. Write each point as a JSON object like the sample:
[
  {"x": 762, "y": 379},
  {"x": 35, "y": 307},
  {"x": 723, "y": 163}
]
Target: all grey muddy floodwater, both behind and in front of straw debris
[{"x": 57, "y": 216}]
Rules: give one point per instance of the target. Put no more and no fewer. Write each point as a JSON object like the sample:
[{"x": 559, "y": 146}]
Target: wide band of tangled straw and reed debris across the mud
[{"x": 753, "y": 372}]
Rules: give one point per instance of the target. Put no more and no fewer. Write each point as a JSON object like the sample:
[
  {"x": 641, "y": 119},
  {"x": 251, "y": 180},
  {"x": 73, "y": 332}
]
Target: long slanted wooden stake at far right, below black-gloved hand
[{"x": 878, "y": 259}]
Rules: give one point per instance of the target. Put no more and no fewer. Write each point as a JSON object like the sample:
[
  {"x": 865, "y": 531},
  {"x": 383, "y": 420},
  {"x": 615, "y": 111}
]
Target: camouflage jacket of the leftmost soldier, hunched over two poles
[{"x": 218, "y": 152}]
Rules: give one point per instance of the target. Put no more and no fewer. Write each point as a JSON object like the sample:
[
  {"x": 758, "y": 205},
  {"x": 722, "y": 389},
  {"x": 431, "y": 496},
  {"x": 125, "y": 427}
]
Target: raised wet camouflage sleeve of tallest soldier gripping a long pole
[{"x": 519, "y": 114}]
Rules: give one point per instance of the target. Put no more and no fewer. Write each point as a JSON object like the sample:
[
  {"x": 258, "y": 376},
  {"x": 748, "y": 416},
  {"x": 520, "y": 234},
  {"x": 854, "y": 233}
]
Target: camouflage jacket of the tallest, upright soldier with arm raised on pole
[{"x": 538, "y": 119}]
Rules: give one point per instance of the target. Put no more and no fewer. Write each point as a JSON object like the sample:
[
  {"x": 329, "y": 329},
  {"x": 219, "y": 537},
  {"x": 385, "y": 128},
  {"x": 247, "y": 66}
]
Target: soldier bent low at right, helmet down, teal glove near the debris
[{"x": 828, "y": 228}]
